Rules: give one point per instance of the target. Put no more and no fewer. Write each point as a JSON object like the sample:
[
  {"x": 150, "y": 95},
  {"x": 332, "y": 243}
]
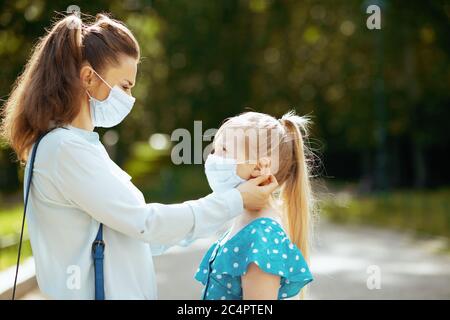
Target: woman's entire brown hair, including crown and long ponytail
[{"x": 49, "y": 92}]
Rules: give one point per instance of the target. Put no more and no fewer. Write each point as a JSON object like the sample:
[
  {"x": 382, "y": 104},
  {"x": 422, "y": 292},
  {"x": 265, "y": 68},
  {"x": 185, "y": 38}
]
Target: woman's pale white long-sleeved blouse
[{"x": 75, "y": 187}]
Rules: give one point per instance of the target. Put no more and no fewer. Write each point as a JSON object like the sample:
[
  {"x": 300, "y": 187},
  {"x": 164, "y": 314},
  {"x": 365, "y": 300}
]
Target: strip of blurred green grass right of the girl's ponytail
[{"x": 424, "y": 212}]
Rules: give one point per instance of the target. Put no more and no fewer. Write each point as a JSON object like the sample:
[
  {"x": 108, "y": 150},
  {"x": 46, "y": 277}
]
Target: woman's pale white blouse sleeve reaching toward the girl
[{"x": 84, "y": 177}]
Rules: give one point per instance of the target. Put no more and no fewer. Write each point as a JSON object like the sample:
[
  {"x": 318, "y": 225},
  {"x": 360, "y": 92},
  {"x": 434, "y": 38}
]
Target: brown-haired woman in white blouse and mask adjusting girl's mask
[{"x": 80, "y": 77}]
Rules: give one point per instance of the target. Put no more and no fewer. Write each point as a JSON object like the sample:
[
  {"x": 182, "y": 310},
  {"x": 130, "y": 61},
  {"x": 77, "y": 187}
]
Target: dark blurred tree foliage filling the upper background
[{"x": 207, "y": 60}]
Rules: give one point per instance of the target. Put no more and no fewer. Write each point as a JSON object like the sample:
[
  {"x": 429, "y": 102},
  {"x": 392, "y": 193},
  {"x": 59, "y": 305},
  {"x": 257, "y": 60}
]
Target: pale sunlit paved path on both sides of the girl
[{"x": 409, "y": 268}]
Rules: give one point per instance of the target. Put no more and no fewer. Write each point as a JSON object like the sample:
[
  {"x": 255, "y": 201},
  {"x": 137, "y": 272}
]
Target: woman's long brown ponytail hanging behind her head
[{"x": 48, "y": 89}]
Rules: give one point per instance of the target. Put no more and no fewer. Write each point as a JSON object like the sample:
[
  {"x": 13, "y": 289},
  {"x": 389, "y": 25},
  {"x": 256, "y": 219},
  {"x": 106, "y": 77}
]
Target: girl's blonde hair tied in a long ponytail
[{"x": 294, "y": 165}]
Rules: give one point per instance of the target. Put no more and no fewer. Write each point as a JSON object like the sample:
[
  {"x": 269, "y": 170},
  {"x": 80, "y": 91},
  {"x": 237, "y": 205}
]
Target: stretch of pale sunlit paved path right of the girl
[{"x": 409, "y": 268}]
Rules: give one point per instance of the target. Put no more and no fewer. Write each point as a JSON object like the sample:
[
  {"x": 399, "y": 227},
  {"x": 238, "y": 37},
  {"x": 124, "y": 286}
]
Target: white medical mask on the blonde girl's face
[{"x": 221, "y": 173}]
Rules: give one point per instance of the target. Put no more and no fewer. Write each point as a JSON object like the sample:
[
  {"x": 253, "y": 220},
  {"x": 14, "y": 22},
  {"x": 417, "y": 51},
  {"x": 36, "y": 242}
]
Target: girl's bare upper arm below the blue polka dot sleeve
[{"x": 259, "y": 285}]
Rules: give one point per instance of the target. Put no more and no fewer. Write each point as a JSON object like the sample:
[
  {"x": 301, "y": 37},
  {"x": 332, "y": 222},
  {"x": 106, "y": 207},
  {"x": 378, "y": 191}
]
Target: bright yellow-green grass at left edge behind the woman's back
[{"x": 10, "y": 224}]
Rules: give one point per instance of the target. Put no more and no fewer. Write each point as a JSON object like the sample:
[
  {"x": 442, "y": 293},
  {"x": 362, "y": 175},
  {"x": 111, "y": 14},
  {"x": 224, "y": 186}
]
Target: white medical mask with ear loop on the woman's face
[{"x": 111, "y": 111}]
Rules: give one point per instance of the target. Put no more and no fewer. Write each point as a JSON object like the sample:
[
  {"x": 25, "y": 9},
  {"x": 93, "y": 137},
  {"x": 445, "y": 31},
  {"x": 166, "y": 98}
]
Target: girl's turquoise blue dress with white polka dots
[{"x": 263, "y": 242}]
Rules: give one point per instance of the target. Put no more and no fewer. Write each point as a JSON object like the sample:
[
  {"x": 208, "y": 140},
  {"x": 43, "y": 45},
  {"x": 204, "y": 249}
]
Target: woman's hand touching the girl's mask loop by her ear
[{"x": 256, "y": 192}]
